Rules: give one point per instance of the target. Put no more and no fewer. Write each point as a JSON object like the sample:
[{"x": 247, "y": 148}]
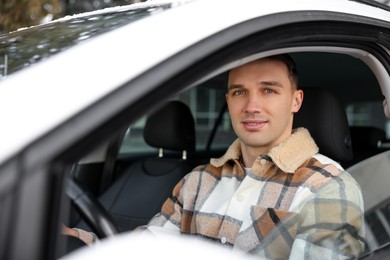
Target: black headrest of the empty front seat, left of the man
[{"x": 171, "y": 127}]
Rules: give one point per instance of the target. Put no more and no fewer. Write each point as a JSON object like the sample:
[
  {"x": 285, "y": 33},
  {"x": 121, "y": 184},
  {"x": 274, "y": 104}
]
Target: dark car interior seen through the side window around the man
[{"x": 131, "y": 175}]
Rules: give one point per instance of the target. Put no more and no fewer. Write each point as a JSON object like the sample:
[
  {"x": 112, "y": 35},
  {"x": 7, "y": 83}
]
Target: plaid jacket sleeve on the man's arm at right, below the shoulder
[{"x": 332, "y": 223}]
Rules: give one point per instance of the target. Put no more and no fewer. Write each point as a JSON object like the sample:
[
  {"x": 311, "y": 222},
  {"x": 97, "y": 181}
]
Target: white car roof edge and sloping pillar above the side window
[{"x": 31, "y": 106}]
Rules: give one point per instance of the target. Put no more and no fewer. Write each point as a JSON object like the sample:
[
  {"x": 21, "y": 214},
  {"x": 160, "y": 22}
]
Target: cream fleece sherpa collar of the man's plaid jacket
[{"x": 288, "y": 155}]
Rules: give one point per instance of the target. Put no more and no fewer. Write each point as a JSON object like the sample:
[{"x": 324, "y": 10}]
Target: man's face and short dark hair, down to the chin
[{"x": 261, "y": 103}]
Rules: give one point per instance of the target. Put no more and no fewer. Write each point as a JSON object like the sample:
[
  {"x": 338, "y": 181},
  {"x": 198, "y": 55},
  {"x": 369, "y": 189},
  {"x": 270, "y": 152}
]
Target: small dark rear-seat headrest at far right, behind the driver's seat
[{"x": 366, "y": 137}]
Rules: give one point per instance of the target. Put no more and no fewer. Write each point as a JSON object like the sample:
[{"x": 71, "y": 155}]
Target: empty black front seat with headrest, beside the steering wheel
[{"x": 141, "y": 190}]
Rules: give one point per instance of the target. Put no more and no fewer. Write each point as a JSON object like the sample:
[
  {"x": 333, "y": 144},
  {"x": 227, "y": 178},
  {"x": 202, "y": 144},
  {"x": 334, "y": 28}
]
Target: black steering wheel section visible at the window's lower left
[{"x": 91, "y": 210}]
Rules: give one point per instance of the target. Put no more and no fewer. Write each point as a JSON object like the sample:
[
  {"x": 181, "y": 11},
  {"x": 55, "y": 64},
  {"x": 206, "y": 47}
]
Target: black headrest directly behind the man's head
[{"x": 323, "y": 115}]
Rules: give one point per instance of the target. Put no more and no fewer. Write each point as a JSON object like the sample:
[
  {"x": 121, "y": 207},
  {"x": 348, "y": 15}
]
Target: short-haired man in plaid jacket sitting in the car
[{"x": 264, "y": 196}]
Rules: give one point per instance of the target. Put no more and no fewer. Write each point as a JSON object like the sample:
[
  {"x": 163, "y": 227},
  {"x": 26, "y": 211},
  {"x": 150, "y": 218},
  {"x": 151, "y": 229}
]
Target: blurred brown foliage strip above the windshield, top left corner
[{"x": 15, "y": 14}]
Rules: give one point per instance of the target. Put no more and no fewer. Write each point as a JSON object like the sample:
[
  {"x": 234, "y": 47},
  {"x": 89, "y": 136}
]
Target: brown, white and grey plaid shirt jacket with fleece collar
[{"x": 292, "y": 203}]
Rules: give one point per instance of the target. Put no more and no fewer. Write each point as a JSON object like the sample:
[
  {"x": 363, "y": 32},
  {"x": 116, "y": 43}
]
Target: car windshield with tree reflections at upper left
[{"x": 28, "y": 46}]
